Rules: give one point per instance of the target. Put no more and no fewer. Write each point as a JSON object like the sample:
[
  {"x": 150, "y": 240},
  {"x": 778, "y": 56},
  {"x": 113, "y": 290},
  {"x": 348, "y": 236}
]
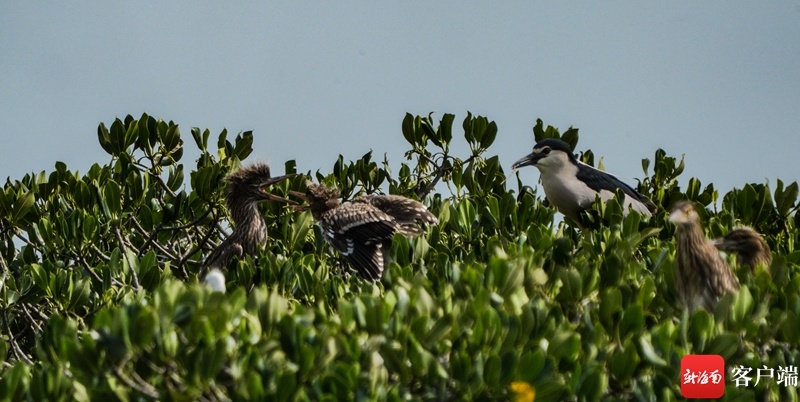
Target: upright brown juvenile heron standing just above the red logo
[{"x": 701, "y": 275}]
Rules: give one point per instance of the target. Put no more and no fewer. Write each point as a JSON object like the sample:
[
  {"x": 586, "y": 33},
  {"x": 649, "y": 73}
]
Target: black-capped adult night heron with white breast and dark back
[{"x": 572, "y": 186}]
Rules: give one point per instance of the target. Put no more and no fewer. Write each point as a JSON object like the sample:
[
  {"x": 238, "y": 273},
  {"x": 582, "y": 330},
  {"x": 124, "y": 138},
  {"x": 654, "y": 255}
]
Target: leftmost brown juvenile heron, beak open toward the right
[{"x": 246, "y": 188}]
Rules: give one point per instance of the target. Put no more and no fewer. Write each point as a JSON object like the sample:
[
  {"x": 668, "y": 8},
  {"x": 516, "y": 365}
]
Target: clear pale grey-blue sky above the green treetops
[{"x": 716, "y": 81}]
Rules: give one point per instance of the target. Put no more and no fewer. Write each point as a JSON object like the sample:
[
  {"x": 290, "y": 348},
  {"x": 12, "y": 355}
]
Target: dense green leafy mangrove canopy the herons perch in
[{"x": 100, "y": 298}]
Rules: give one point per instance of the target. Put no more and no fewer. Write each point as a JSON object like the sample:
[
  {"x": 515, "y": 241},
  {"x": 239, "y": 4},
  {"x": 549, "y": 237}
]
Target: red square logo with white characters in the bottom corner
[{"x": 702, "y": 376}]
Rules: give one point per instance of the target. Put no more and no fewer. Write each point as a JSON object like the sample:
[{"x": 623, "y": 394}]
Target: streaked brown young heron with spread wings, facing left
[{"x": 362, "y": 229}]
